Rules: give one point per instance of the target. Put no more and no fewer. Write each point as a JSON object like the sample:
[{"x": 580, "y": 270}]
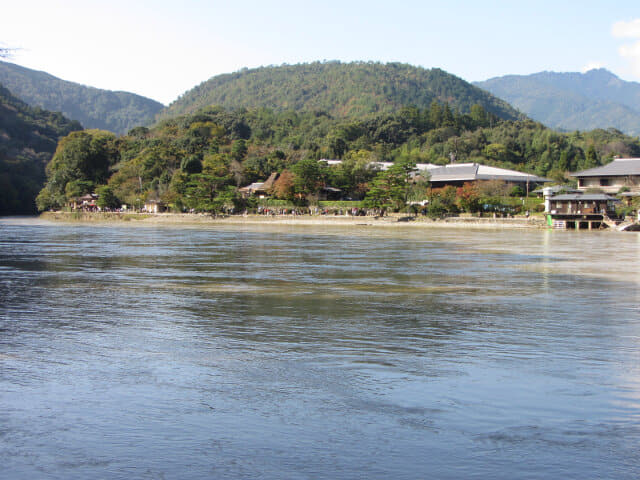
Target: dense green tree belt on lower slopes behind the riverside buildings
[{"x": 198, "y": 161}]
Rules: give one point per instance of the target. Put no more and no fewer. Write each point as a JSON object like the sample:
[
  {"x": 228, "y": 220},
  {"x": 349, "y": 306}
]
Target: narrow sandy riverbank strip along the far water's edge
[{"x": 390, "y": 221}]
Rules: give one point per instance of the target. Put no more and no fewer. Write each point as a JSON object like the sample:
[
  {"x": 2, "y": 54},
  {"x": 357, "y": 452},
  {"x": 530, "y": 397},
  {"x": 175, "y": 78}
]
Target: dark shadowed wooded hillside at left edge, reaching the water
[{"x": 28, "y": 139}]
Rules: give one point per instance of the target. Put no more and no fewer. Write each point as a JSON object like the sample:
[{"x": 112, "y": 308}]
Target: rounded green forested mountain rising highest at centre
[{"x": 340, "y": 89}]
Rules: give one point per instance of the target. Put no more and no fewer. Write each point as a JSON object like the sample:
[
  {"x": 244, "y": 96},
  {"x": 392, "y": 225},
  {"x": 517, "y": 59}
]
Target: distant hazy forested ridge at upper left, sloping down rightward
[{"x": 116, "y": 112}]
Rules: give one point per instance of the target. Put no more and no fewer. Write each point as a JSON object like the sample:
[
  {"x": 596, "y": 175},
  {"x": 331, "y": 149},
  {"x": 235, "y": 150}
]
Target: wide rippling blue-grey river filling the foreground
[{"x": 319, "y": 352}]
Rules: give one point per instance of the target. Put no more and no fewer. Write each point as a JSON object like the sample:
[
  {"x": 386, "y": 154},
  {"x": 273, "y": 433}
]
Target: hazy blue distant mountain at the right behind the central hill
[{"x": 573, "y": 101}]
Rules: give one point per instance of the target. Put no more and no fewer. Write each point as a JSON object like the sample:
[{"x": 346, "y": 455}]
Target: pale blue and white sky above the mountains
[{"x": 160, "y": 49}]
